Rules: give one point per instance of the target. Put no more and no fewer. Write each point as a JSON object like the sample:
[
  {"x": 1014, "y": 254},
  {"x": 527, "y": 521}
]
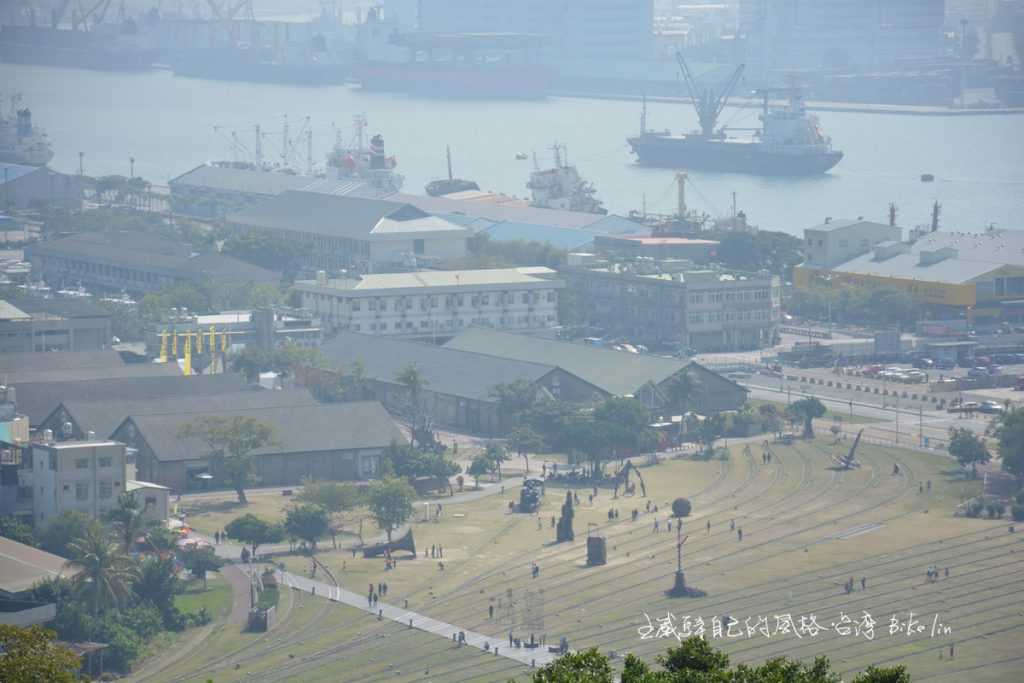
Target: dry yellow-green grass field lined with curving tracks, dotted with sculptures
[{"x": 807, "y": 531}]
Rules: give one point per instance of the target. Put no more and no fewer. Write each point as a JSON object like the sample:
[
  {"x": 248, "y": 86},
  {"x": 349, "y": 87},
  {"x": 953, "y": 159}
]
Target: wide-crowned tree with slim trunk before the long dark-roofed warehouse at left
[{"x": 231, "y": 443}]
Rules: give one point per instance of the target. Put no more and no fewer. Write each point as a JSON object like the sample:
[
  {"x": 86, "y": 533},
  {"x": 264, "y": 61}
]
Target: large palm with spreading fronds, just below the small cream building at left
[{"x": 106, "y": 572}]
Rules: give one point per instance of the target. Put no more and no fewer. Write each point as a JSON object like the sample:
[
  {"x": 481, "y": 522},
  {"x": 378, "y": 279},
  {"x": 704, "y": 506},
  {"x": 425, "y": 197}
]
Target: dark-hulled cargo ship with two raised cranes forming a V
[{"x": 790, "y": 142}]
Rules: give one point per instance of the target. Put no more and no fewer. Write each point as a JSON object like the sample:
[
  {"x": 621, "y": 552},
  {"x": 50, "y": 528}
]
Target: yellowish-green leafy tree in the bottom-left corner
[{"x": 31, "y": 655}]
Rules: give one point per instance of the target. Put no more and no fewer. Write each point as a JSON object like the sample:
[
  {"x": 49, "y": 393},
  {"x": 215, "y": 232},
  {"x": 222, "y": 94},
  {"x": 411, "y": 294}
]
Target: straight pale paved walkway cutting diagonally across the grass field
[{"x": 538, "y": 657}]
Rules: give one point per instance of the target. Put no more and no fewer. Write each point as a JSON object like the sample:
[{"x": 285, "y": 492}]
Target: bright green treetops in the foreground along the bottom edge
[{"x": 697, "y": 662}]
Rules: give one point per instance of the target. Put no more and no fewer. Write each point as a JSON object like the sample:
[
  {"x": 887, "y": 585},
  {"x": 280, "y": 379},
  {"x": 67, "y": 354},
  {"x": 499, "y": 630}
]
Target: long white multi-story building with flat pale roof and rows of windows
[{"x": 436, "y": 303}]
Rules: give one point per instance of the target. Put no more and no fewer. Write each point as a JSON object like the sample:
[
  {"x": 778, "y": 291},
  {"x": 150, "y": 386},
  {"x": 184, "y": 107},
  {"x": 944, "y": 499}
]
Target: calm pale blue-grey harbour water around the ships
[{"x": 168, "y": 125}]
